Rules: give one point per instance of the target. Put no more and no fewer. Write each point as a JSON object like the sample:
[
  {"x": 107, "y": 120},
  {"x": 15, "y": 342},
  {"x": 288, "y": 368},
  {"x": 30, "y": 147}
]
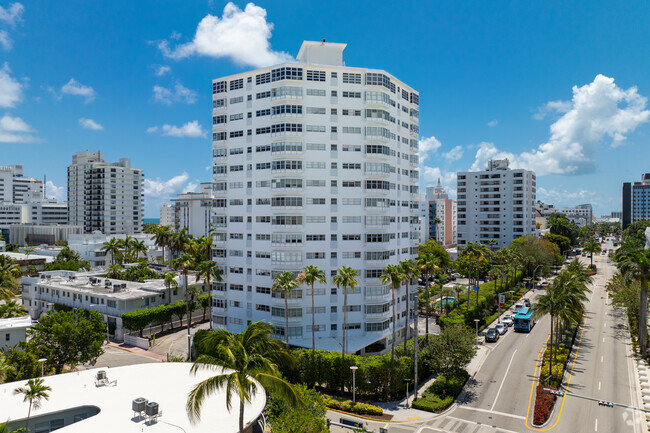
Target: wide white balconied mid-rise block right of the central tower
[{"x": 497, "y": 203}]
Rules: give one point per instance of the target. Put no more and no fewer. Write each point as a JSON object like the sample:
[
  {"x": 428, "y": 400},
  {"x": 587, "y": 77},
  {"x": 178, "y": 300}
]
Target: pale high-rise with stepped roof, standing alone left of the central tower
[{"x": 105, "y": 196}]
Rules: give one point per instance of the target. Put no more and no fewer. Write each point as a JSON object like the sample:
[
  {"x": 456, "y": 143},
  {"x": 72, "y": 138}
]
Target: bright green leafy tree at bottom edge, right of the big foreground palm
[{"x": 310, "y": 418}]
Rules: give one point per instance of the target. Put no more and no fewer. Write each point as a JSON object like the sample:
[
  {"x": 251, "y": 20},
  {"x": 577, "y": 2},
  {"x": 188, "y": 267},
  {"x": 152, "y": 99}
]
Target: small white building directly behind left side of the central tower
[{"x": 194, "y": 210}]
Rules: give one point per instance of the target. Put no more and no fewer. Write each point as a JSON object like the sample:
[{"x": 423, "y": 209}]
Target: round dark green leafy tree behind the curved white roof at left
[{"x": 66, "y": 337}]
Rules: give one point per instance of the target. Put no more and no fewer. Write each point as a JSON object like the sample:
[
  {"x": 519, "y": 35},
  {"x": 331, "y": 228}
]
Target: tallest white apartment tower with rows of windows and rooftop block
[{"x": 314, "y": 163}]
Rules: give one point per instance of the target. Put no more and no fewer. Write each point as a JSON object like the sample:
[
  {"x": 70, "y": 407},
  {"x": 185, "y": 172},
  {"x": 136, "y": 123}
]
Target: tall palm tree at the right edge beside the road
[{"x": 634, "y": 264}]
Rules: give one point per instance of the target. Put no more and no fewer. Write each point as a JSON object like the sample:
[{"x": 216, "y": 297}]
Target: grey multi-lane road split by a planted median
[{"x": 500, "y": 398}]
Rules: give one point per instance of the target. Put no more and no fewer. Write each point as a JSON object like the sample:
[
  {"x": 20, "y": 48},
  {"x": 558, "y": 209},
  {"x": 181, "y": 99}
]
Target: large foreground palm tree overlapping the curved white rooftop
[{"x": 242, "y": 362}]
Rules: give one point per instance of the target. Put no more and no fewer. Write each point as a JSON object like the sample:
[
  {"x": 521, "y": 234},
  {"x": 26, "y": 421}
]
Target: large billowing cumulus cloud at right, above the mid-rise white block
[{"x": 599, "y": 111}]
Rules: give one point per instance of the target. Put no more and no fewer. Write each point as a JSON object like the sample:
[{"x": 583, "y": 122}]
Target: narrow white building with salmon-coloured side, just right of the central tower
[{"x": 444, "y": 210}]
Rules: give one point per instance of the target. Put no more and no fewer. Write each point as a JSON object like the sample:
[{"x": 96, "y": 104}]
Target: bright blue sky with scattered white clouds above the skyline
[{"x": 558, "y": 87}]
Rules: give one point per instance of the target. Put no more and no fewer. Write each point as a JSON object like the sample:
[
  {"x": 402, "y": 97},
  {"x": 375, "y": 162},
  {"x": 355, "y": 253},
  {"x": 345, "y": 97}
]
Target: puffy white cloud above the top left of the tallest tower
[{"x": 242, "y": 36}]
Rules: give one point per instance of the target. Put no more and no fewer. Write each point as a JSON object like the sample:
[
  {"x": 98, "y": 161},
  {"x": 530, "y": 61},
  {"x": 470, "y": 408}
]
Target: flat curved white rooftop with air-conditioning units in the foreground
[{"x": 164, "y": 383}]
